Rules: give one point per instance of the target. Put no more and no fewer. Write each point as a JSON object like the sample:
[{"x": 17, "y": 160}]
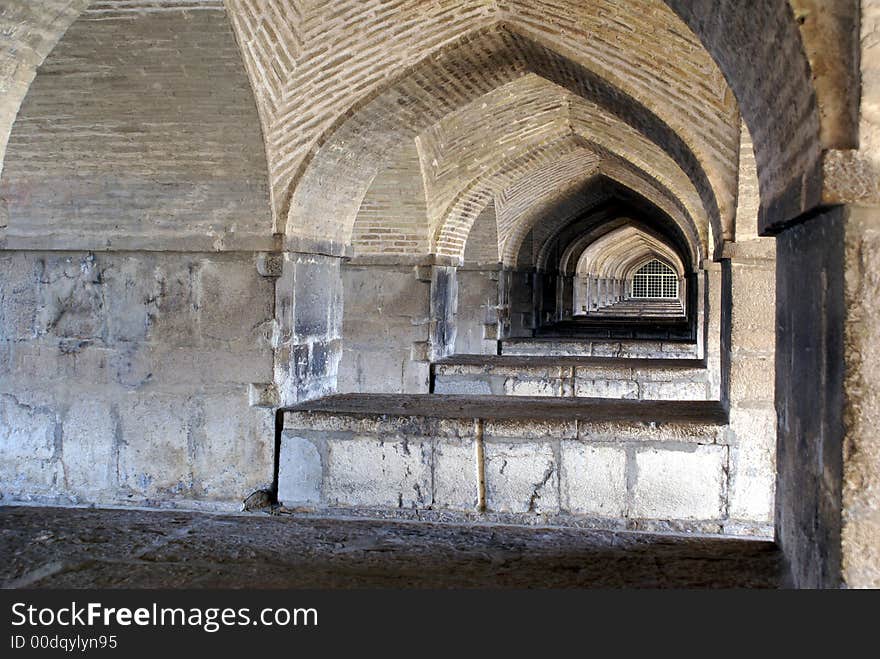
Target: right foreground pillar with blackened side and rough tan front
[{"x": 828, "y": 398}]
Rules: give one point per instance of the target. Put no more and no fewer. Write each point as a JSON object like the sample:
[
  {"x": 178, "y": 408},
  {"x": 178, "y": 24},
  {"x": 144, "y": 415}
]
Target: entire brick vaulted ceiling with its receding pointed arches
[{"x": 487, "y": 96}]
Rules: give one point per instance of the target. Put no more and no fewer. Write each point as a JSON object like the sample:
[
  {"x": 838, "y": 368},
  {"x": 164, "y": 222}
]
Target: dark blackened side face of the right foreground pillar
[{"x": 809, "y": 397}]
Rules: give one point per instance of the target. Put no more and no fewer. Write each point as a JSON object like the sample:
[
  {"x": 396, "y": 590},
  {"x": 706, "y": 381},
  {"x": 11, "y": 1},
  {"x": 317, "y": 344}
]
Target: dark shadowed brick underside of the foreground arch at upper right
[{"x": 758, "y": 48}]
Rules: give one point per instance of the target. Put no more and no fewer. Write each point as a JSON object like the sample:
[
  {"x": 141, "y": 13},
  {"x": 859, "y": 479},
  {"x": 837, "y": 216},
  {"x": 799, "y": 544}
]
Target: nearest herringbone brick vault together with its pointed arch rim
[{"x": 341, "y": 84}]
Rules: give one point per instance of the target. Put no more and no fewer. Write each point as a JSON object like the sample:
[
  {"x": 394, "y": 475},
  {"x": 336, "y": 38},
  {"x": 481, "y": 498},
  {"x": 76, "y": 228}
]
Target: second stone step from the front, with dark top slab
[{"x": 589, "y": 377}]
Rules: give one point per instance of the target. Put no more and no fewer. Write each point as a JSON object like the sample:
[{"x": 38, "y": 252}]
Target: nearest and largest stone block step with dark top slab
[{"x": 556, "y": 461}]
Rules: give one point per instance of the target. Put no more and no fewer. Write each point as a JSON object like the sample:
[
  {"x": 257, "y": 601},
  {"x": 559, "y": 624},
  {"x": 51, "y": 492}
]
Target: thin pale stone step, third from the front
[{"x": 562, "y": 346}]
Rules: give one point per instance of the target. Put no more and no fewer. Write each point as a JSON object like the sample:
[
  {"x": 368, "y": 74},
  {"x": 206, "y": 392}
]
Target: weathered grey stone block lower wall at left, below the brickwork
[{"x": 124, "y": 377}]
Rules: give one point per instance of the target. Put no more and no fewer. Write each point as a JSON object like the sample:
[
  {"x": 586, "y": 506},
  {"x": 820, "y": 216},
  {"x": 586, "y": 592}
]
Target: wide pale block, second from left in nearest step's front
[{"x": 371, "y": 472}]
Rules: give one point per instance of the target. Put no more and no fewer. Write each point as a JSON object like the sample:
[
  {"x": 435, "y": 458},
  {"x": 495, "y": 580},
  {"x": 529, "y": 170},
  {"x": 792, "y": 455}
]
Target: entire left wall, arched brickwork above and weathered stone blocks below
[{"x": 128, "y": 351}]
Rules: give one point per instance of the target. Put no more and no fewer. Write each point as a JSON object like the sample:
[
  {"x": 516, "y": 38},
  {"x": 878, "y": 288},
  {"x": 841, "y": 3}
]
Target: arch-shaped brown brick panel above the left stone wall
[{"x": 140, "y": 132}]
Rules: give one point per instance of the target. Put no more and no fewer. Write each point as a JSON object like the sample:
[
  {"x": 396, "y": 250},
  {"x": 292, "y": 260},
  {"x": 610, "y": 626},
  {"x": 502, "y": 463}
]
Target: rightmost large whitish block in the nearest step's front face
[{"x": 679, "y": 484}]
